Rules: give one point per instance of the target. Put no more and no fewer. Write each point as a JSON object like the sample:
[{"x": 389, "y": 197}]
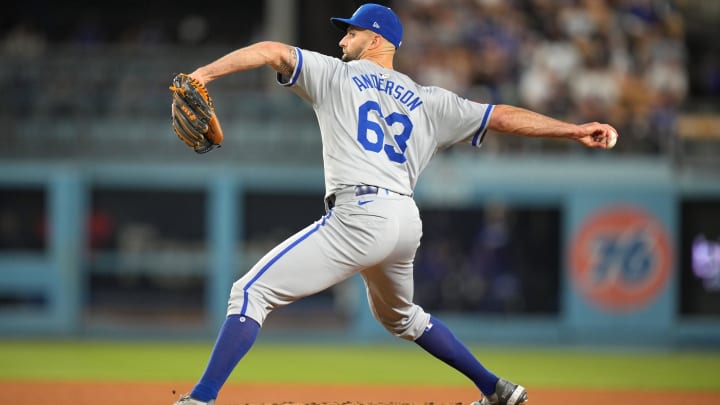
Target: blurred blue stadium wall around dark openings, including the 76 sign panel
[{"x": 620, "y": 237}]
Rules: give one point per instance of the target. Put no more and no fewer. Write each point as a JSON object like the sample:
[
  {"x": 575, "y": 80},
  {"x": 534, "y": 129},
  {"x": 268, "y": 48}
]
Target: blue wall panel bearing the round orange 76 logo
[{"x": 620, "y": 280}]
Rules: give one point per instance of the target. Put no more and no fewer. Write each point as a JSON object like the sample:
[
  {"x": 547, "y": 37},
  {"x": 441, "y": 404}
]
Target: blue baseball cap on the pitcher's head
[{"x": 374, "y": 17}]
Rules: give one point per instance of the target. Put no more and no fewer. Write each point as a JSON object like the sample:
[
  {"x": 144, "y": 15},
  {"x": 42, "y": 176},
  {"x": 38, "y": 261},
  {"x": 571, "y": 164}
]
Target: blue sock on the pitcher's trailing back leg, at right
[{"x": 439, "y": 341}]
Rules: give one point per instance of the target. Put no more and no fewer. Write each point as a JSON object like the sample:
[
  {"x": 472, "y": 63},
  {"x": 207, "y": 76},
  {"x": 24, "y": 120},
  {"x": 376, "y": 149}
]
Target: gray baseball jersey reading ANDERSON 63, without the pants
[{"x": 378, "y": 126}]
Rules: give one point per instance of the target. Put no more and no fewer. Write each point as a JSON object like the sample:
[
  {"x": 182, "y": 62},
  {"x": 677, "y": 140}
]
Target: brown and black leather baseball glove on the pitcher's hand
[{"x": 193, "y": 114}]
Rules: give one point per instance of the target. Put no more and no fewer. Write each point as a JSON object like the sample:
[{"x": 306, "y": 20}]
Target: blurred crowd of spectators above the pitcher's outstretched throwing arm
[{"x": 616, "y": 61}]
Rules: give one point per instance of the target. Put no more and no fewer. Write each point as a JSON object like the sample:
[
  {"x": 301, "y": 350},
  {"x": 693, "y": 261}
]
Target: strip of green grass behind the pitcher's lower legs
[{"x": 405, "y": 364}]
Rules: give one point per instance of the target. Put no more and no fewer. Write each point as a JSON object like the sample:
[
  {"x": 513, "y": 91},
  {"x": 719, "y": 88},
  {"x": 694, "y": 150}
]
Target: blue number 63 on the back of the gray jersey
[{"x": 395, "y": 153}]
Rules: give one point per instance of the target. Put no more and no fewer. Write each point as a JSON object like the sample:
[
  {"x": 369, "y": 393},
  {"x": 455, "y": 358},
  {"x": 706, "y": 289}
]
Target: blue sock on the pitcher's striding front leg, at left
[{"x": 236, "y": 336}]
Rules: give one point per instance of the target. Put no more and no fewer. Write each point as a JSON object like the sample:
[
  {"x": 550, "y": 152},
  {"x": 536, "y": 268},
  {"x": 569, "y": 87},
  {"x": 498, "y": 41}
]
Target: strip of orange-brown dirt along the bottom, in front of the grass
[{"x": 165, "y": 393}]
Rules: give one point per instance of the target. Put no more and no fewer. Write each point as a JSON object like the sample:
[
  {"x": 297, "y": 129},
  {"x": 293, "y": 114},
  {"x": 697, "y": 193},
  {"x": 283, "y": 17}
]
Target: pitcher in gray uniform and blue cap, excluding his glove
[{"x": 379, "y": 130}]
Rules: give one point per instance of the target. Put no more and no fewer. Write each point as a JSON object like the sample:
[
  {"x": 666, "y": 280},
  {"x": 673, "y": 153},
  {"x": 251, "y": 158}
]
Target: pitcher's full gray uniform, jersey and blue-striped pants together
[{"x": 379, "y": 128}]
